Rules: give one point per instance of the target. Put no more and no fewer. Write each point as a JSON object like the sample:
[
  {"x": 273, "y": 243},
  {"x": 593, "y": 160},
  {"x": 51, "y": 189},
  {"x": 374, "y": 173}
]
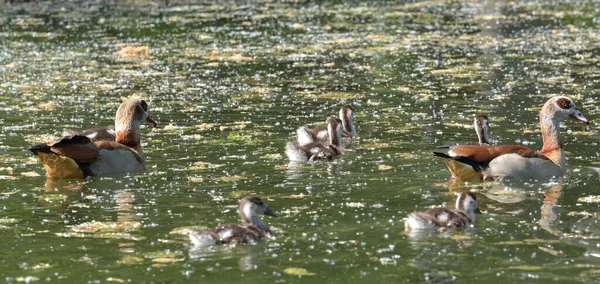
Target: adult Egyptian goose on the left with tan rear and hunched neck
[{"x": 78, "y": 156}]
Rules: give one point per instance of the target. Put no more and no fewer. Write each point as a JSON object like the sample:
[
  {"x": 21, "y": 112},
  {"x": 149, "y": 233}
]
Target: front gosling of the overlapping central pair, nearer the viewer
[{"x": 316, "y": 150}]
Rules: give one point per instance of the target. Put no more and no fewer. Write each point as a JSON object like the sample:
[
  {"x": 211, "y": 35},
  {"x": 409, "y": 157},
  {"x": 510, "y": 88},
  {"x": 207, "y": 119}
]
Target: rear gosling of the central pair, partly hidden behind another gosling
[{"x": 308, "y": 135}]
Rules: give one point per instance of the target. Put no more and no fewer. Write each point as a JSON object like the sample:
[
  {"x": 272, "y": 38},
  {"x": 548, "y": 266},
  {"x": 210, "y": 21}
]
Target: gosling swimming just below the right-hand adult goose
[{"x": 466, "y": 207}]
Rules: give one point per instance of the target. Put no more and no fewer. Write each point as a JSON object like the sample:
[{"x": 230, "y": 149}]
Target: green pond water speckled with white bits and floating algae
[{"x": 230, "y": 83}]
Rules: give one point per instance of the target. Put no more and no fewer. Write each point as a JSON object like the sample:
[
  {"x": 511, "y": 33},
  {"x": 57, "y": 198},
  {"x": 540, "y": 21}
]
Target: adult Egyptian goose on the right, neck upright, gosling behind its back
[{"x": 517, "y": 162}]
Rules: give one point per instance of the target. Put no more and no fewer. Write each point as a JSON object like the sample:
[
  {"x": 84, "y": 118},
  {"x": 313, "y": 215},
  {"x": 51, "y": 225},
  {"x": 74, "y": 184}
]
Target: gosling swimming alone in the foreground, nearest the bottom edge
[{"x": 251, "y": 230}]
